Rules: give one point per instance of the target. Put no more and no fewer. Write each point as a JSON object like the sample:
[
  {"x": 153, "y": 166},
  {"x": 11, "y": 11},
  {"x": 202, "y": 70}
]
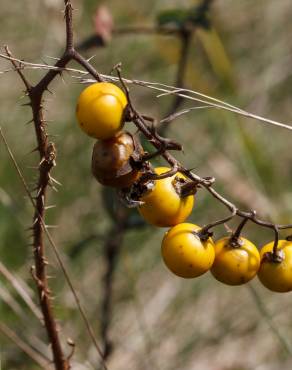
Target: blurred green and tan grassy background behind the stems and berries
[{"x": 143, "y": 316}]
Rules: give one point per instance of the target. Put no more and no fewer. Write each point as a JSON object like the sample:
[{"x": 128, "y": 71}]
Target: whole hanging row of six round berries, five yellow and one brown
[{"x": 232, "y": 260}]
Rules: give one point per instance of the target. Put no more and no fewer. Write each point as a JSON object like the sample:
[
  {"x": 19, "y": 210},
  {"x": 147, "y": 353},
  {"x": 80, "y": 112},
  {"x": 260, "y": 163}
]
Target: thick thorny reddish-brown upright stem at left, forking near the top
[{"x": 47, "y": 154}]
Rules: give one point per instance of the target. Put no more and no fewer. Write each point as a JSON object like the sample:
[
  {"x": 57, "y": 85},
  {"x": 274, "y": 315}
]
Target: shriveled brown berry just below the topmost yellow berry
[{"x": 111, "y": 160}]
